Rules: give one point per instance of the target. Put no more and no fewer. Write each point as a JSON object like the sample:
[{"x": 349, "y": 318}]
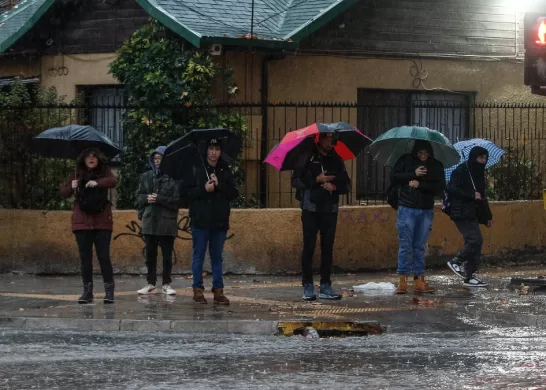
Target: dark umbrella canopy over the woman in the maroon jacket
[{"x": 69, "y": 141}]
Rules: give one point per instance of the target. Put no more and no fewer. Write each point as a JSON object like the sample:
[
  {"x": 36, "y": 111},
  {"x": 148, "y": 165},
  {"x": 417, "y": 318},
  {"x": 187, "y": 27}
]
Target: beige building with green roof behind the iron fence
[{"x": 381, "y": 59}]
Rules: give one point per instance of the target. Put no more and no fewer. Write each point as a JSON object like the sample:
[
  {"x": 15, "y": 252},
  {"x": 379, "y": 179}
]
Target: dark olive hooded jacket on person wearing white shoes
[{"x": 158, "y": 219}]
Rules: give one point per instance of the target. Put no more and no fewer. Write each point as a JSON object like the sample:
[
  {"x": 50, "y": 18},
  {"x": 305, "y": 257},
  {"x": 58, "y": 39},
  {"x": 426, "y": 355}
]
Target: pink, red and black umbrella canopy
[{"x": 297, "y": 146}]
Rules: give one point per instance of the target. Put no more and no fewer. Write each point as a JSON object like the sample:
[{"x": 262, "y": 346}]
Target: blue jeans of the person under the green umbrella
[{"x": 414, "y": 226}]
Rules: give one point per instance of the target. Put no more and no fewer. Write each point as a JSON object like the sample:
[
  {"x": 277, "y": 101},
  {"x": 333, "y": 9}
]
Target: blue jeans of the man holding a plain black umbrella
[{"x": 215, "y": 239}]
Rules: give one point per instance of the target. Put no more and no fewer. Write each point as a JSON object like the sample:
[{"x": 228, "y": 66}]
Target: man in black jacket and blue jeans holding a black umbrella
[{"x": 210, "y": 188}]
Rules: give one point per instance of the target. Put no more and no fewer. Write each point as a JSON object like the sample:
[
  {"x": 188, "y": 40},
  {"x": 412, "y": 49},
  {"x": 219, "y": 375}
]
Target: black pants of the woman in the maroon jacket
[{"x": 101, "y": 239}]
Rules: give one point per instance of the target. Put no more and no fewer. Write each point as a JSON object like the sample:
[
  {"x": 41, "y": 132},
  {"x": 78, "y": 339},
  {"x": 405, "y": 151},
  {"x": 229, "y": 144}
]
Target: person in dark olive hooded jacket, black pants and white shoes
[{"x": 158, "y": 203}]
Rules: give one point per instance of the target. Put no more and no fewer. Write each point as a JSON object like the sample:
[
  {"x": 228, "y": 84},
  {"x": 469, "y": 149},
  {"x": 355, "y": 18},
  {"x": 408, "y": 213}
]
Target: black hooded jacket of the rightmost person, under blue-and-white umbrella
[{"x": 464, "y": 206}]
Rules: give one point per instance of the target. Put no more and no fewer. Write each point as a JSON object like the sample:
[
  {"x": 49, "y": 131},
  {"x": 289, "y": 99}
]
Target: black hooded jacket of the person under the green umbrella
[{"x": 430, "y": 185}]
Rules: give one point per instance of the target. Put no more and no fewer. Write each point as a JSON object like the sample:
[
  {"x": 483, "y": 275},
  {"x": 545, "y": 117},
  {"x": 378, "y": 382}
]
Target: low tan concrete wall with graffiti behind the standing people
[{"x": 264, "y": 241}]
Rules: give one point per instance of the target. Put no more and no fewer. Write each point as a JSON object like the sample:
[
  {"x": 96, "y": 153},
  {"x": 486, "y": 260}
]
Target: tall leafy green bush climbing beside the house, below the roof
[{"x": 170, "y": 92}]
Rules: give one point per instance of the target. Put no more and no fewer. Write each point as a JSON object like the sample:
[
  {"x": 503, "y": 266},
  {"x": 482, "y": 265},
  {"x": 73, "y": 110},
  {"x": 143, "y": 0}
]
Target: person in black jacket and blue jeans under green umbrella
[{"x": 419, "y": 177}]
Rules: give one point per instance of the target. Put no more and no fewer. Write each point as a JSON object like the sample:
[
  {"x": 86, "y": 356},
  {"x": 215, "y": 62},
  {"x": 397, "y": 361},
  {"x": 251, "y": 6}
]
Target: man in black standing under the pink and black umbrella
[{"x": 318, "y": 186}]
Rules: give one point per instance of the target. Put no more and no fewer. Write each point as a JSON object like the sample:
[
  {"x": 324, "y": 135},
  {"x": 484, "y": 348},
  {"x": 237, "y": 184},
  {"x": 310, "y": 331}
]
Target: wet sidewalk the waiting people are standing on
[{"x": 267, "y": 305}]
